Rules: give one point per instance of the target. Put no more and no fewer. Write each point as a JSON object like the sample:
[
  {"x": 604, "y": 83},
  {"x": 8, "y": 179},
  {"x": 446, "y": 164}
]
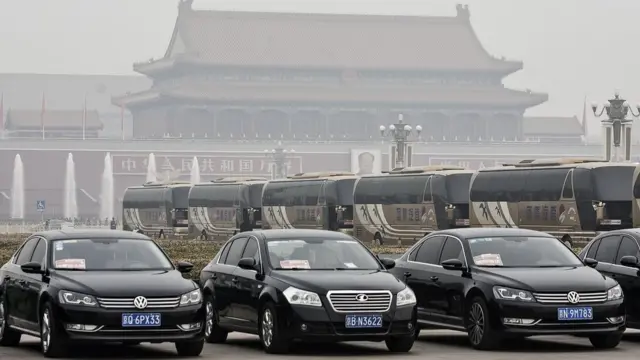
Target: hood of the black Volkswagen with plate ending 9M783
[{"x": 561, "y": 279}]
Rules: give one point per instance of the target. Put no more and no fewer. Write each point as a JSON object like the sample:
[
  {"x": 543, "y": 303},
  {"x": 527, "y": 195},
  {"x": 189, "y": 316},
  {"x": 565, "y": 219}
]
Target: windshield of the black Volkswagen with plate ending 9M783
[{"x": 520, "y": 251}]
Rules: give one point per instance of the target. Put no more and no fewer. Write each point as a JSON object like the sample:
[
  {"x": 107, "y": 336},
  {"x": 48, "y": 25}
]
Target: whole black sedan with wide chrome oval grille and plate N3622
[{"x": 308, "y": 285}]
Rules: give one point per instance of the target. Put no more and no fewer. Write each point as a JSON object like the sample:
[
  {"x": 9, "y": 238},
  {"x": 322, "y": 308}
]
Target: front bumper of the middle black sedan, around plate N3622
[{"x": 321, "y": 324}]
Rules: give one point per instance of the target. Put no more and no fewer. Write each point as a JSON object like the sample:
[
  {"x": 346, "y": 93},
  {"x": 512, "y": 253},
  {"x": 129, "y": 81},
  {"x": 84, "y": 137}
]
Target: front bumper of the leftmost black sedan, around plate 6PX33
[{"x": 108, "y": 324}]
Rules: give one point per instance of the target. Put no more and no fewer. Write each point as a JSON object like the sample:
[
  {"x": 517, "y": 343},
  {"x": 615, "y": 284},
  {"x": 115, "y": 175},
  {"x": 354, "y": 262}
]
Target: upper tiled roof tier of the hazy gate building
[{"x": 331, "y": 41}]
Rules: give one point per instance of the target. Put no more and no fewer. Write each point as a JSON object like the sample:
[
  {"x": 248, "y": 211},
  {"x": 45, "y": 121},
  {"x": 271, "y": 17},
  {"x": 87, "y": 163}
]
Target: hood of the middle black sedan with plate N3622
[{"x": 322, "y": 281}]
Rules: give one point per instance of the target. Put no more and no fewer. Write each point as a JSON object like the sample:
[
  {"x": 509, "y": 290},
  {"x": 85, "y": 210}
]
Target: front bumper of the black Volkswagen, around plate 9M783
[{"x": 545, "y": 318}]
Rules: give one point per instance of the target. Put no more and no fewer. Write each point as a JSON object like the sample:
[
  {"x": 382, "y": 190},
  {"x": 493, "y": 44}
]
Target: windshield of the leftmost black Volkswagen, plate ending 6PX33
[{"x": 108, "y": 254}]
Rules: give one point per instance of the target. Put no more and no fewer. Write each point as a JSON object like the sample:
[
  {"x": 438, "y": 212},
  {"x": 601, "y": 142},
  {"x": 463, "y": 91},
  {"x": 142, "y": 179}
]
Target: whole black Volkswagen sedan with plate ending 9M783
[{"x": 498, "y": 284}]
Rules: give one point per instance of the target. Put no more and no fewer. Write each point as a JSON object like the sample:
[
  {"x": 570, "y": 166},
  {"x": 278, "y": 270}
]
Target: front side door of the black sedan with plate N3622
[{"x": 249, "y": 286}]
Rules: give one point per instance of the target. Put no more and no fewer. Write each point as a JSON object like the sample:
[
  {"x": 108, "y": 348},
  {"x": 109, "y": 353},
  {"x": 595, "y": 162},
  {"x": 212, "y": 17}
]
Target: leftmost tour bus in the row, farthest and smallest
[{"x": 157, "y": 209}]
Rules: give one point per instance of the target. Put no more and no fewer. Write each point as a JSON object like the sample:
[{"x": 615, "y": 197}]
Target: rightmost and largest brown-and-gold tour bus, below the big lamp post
[{"x": 572, "y": 199}]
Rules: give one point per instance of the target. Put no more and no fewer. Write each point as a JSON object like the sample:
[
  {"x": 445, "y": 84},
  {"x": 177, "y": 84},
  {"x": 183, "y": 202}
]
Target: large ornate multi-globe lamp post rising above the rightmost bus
[{"x": 617, "y": 128}]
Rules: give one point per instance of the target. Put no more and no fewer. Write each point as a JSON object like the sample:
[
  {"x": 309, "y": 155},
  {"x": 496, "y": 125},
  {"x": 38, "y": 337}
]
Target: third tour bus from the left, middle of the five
[{"x": 321, "y": 200}]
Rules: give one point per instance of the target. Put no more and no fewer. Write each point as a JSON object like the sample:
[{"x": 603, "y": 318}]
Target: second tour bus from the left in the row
[{"x": 223, "y": 207}]
